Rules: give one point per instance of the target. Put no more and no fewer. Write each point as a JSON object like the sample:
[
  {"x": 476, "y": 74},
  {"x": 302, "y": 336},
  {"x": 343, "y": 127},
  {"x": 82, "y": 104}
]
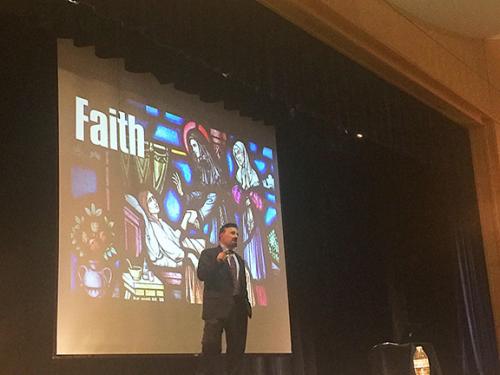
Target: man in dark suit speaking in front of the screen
[{"x": 225, "y": 303}]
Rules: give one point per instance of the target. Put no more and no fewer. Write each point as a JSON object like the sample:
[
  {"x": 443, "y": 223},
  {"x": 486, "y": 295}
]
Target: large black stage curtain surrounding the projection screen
[{"x": 373, "y": 226}]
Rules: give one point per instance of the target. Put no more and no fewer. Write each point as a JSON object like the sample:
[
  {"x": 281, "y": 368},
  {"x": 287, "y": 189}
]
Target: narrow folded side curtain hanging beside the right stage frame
[{"x": 477, "y": 336}]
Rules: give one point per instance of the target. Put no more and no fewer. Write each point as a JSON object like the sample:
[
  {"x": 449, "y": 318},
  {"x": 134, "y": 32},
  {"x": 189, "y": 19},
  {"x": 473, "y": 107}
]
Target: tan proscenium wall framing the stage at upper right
[{"x": 458, "y": 76}]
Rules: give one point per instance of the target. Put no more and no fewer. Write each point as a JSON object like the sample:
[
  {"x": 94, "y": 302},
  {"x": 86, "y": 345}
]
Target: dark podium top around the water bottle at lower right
[{"x": 397, "y": 359}]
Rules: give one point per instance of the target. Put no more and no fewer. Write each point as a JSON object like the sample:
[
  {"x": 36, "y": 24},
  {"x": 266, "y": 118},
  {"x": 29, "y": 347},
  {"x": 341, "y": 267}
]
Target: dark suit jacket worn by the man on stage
[{"x": 218, "y": 296}]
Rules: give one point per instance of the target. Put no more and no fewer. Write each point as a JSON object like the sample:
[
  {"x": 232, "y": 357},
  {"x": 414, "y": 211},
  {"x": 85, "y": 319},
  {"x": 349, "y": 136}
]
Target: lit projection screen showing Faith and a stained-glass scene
[{"x": 147, "y": 174}]
